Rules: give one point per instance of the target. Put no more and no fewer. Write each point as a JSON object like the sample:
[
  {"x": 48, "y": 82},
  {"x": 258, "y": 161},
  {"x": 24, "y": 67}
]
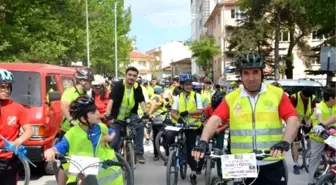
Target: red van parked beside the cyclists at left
[{"x": 38, "y": 87}]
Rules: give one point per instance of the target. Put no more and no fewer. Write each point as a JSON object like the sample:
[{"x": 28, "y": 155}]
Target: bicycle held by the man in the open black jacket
[{"x": 127, "y": 141}]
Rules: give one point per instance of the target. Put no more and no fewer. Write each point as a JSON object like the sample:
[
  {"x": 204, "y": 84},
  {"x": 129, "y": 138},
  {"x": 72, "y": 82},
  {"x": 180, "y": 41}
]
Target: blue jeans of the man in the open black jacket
[{"x": 139, "y": 127}]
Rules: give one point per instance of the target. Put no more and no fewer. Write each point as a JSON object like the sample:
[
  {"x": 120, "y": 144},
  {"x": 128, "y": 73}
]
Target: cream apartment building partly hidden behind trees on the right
[{"x": 225, "y": 15}]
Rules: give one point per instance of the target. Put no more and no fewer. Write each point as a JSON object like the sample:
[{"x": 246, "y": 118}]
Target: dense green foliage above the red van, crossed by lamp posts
[{"x": 55, "y": 32}]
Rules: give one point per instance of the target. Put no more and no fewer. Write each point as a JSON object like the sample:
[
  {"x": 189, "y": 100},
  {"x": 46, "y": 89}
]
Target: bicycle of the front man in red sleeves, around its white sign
[{"x": 217, "y": 154}]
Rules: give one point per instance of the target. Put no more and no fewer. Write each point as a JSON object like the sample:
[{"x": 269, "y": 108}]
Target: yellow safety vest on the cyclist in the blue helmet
[{"x": 191, "y": 105}]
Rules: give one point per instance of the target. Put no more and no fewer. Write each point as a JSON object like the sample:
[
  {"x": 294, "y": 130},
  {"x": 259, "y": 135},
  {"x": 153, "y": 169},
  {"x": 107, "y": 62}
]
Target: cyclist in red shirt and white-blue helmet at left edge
[{"x": 13, "y": 116}]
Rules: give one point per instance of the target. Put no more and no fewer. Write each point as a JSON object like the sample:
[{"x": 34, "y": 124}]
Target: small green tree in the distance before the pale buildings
[{"x": 203, "y": 50}]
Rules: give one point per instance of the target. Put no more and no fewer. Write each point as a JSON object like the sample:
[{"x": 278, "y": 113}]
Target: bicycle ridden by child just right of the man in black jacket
[{"x": 160, "y": 136}]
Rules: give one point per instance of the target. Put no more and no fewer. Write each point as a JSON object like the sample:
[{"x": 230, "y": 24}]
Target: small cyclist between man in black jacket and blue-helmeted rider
[{"x": 156, "y": 108}]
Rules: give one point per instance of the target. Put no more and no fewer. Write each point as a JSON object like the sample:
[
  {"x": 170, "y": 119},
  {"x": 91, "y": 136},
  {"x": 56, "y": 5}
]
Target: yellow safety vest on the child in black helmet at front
[{"x": 81, "y": 146}]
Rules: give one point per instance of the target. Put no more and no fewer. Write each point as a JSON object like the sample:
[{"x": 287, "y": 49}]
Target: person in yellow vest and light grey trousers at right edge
[{"x": 324, "y": 110}]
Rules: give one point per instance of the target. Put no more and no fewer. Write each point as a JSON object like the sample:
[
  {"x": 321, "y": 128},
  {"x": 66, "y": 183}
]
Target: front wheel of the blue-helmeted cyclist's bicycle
[{"x": 172, "y": 169}]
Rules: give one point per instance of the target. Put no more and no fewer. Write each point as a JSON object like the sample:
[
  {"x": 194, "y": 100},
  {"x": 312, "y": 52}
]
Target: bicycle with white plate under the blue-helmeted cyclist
[{"x": 177, "y": 159}]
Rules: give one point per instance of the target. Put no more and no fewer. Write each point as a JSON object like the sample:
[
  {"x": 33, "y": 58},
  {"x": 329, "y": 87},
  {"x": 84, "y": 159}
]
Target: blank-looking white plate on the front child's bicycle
[{"x": 90, "y": 164}]
